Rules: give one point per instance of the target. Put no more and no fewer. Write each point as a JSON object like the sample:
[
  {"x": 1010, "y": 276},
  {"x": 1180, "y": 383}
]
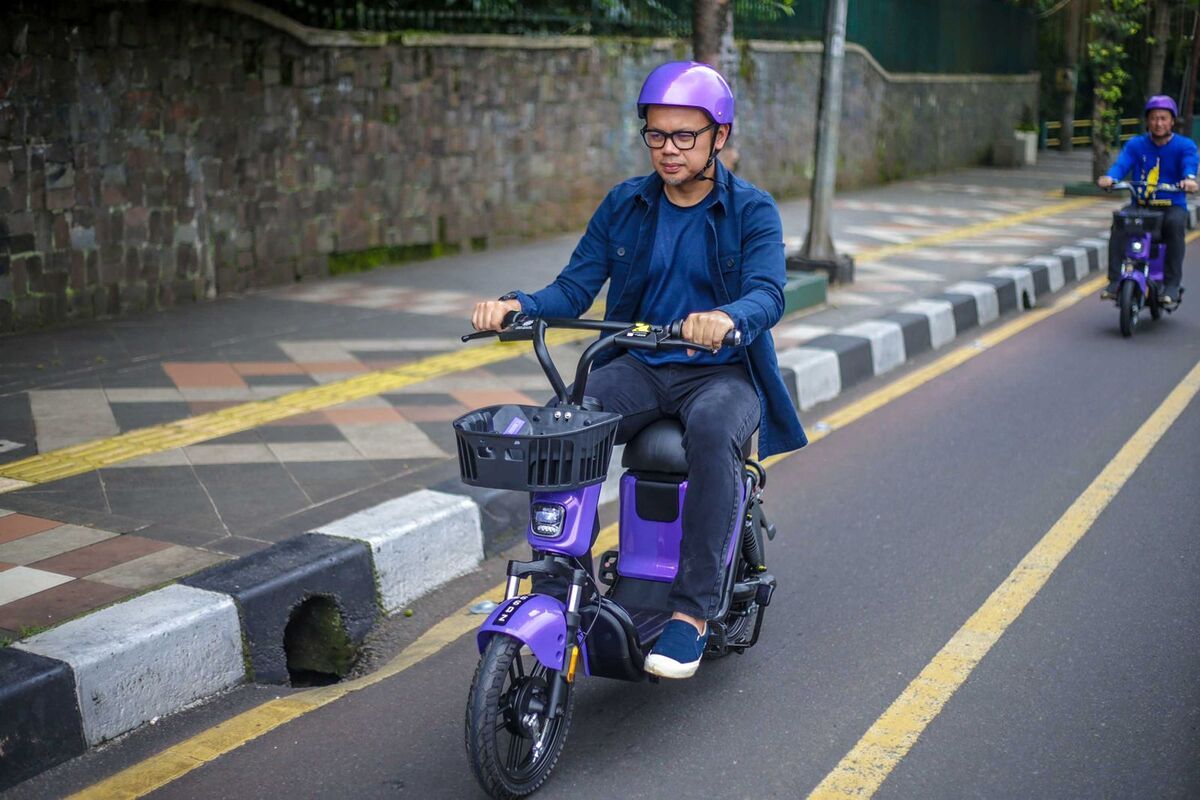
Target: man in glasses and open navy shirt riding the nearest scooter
[{"x": 688, "y": 242}]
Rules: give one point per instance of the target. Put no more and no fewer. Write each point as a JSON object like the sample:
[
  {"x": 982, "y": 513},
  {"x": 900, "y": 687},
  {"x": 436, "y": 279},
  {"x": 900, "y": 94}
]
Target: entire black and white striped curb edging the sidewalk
[{"x": 111, "y": 672}]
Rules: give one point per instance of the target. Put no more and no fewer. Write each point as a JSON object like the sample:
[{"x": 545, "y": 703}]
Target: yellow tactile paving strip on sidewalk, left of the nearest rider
[{"x": 88, "y": 456}]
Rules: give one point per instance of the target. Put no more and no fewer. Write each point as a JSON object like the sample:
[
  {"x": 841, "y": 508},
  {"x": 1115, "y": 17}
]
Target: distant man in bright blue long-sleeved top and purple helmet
[{"x": 1159, "y": 157}]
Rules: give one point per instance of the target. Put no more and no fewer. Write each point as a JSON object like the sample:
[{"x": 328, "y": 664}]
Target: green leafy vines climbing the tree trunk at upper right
[{"x": 1114, "y": 23}]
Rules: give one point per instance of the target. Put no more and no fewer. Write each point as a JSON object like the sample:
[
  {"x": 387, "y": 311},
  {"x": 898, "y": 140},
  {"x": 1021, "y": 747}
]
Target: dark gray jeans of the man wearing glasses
[{"x": 719, "y": 410}]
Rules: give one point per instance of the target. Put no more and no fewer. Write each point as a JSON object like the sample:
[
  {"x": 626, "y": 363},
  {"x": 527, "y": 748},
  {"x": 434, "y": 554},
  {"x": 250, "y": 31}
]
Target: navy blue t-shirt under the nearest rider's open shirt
[{"x": 680, "y": 282}]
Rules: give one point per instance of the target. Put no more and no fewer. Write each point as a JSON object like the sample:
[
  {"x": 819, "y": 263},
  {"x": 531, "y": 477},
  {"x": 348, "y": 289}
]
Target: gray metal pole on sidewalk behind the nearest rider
[{"x": 819, "y": 244}]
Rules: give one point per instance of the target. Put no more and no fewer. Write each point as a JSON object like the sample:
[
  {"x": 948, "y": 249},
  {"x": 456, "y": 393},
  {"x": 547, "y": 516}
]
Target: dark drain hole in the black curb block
[{"x": 317, "y": 647}]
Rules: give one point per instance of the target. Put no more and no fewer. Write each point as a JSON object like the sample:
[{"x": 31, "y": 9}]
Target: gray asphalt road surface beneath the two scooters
[{"x": 893, "y": 532}]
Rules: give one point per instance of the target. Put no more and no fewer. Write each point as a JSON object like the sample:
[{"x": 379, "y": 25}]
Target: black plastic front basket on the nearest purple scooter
[{"x": 535, "y": 449}]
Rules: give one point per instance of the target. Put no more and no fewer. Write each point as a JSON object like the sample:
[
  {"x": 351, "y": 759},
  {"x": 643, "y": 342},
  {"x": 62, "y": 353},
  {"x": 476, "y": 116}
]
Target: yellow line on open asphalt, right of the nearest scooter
[{"x": 868, "y": 765}]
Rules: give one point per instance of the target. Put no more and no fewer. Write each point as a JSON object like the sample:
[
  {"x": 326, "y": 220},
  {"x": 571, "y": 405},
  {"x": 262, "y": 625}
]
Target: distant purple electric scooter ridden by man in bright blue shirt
[{"x": 1142, "y": 269}]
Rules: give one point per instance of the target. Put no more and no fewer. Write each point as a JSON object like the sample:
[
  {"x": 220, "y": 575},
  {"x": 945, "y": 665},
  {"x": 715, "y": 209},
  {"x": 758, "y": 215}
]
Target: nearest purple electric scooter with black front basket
[{"x": 535, "y": 646}]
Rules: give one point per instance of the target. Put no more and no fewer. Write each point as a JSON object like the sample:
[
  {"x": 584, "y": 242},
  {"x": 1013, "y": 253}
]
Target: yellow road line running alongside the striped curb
[{"x": 181, "y": 760}]
